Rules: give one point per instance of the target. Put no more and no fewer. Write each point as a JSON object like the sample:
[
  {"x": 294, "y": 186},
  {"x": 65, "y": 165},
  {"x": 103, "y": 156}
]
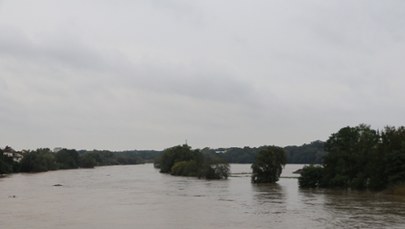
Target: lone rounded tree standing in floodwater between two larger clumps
[{"x": 268, "y": 165}]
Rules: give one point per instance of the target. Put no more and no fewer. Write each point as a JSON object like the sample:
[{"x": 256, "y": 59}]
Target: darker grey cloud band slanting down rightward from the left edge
[{"x": 195, "y": 81}]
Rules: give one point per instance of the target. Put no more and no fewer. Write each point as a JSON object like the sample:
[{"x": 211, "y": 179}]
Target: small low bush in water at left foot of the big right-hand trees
[{"x": 311, "y": 177}]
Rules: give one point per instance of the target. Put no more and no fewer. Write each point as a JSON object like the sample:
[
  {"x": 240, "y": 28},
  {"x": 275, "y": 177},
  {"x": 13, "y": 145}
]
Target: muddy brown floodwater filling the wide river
[{"x": 138, "y": 196}]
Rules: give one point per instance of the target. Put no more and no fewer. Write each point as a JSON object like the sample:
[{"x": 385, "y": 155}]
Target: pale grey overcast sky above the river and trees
[{"x": 148, "y": 74}]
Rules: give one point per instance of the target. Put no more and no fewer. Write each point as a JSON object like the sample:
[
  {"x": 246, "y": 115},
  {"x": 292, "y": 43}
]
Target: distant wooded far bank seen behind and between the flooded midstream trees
[{"x": 43, "y": 159}]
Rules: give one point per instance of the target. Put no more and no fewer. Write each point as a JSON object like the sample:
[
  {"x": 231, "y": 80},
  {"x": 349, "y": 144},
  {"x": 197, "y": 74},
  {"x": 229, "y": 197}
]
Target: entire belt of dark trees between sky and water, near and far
[{"x": 354, "y": 157}]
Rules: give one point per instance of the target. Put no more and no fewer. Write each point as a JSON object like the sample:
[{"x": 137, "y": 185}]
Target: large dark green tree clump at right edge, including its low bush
[{"x": 360, "y": 158}]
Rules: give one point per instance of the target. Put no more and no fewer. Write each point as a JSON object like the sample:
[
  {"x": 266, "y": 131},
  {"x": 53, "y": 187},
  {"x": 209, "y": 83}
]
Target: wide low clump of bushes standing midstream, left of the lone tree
[{"x": 183, "y": 161}]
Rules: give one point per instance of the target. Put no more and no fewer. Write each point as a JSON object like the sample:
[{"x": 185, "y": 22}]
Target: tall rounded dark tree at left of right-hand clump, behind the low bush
[{"x": 350, "y": 155}]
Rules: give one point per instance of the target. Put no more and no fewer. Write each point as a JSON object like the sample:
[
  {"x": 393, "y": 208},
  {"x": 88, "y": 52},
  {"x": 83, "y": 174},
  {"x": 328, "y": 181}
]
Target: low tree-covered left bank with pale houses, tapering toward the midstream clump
[{"x": 43, "y": 159}]
